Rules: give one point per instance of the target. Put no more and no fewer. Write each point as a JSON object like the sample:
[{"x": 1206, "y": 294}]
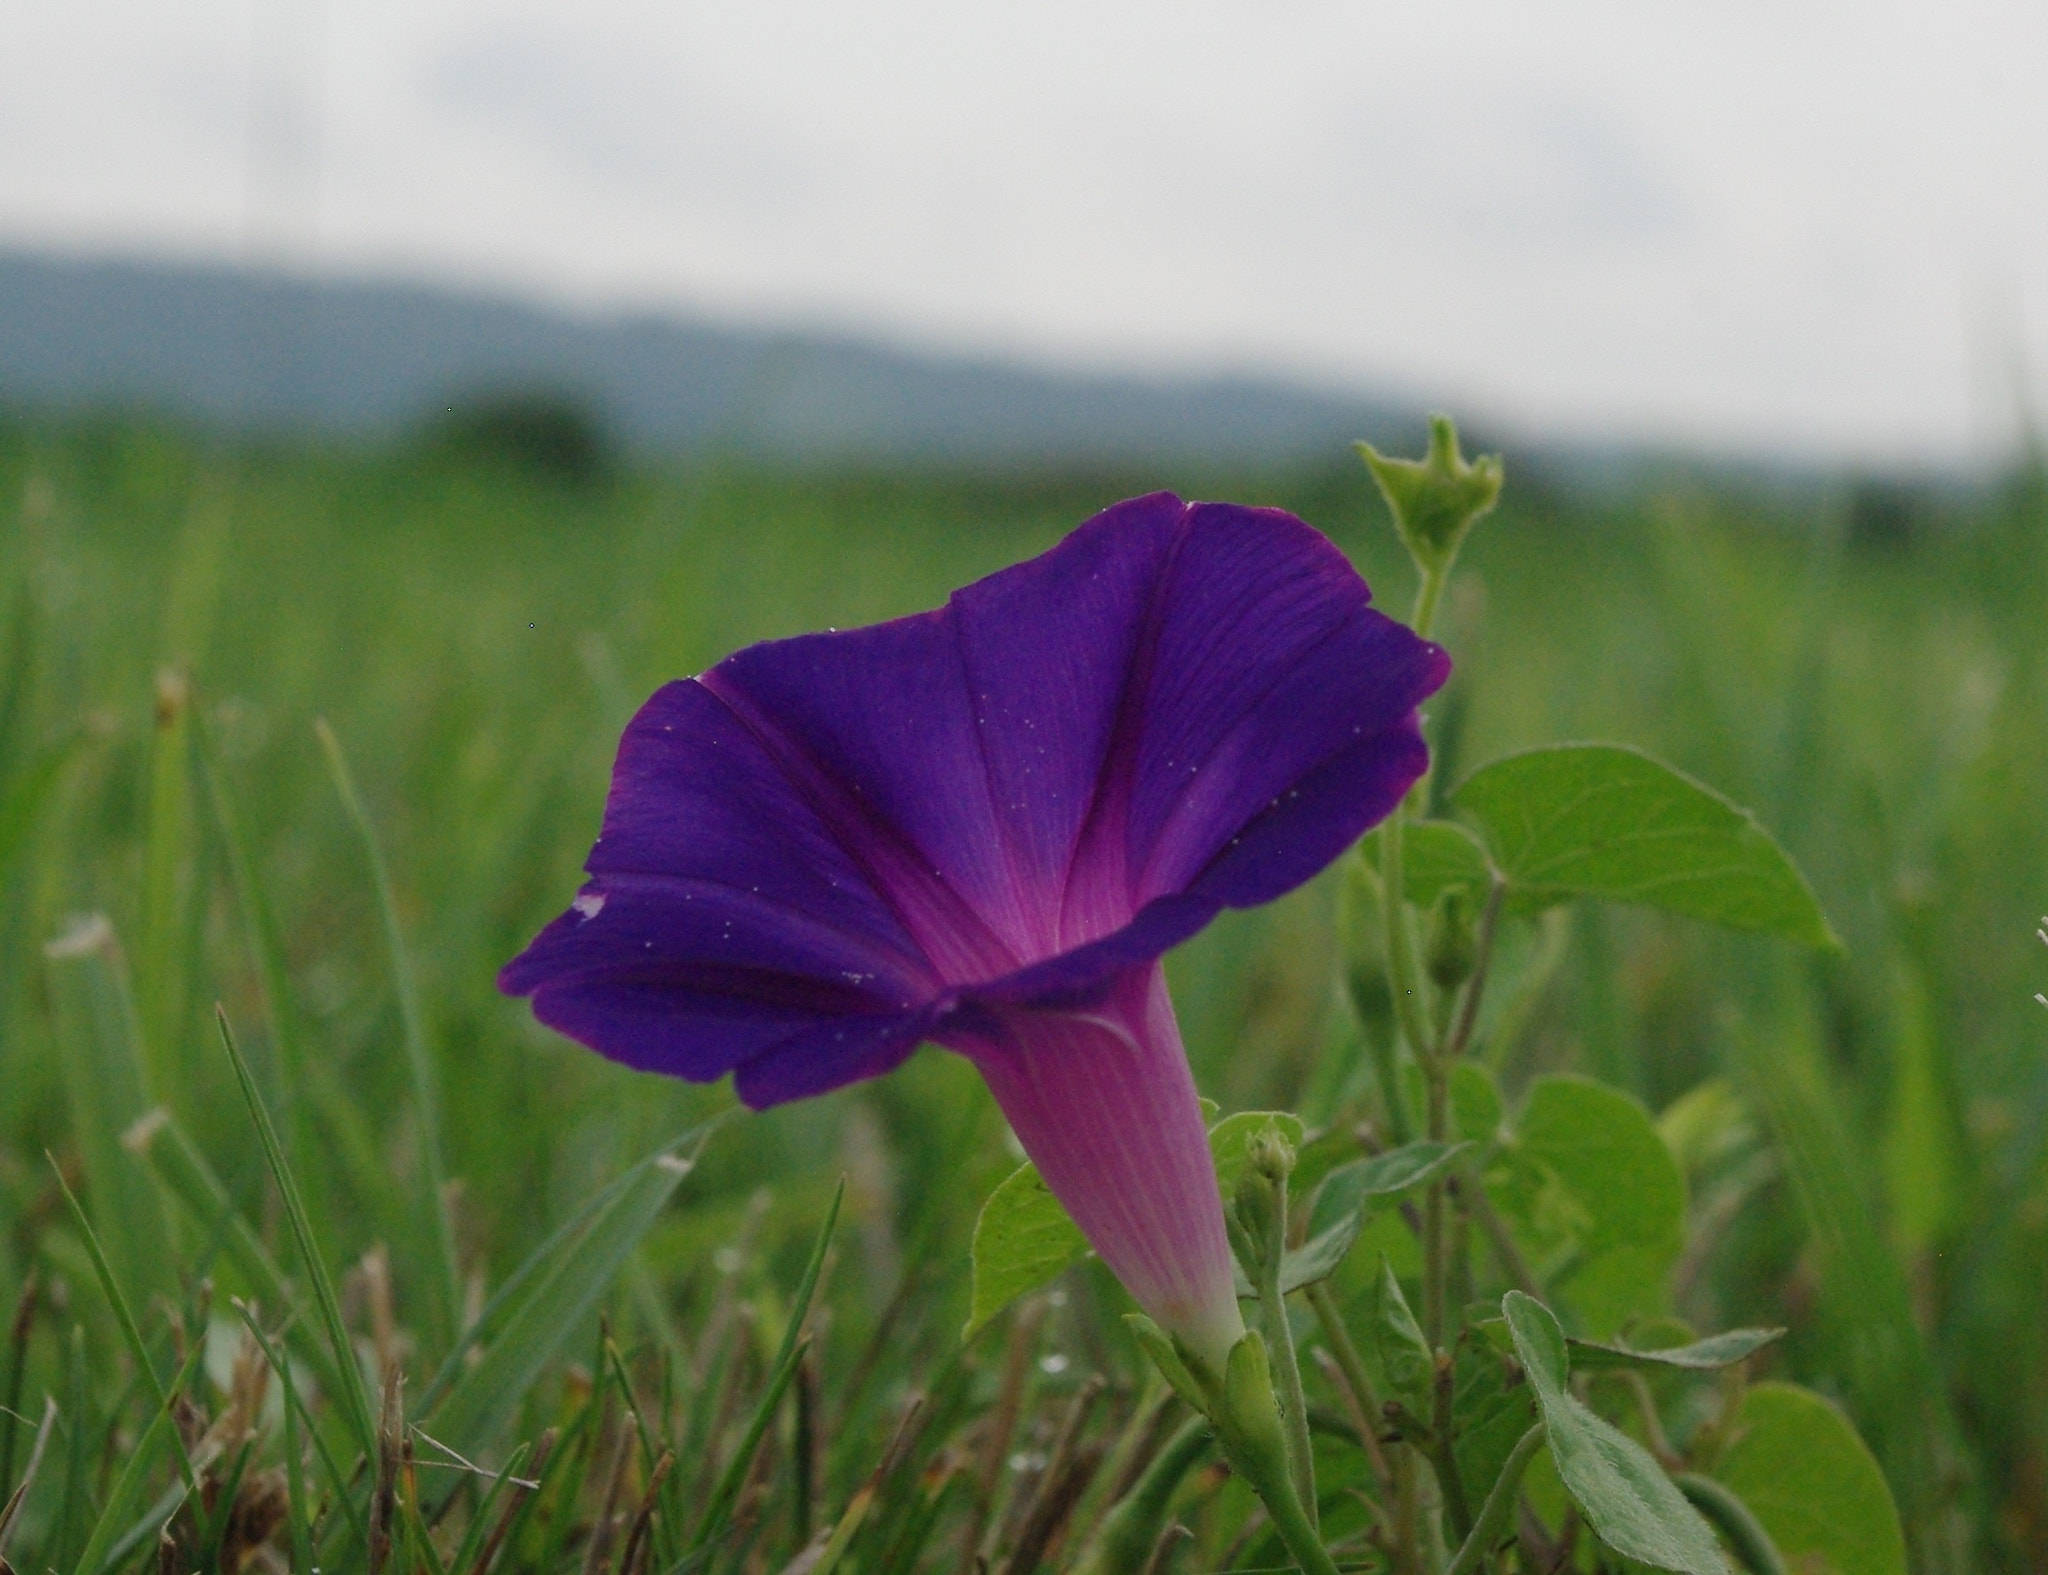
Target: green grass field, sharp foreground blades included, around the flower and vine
[{"x": 1867, "y": 671}]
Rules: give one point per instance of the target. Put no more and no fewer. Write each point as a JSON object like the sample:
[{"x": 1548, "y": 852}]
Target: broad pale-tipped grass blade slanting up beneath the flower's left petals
[{"x": 556, "y": 1297}]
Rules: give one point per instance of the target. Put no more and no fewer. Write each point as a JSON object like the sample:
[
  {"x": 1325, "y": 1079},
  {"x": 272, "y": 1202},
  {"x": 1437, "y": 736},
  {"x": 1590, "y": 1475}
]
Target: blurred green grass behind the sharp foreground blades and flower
[{"x": 476, "y": 615}]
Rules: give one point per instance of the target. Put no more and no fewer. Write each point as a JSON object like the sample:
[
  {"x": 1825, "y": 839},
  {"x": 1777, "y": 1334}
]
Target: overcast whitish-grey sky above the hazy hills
[{"x": 1799, "y": 226}]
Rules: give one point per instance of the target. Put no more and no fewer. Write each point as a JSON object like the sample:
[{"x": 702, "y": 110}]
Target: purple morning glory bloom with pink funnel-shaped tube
[{"x": 984, "y": 826}]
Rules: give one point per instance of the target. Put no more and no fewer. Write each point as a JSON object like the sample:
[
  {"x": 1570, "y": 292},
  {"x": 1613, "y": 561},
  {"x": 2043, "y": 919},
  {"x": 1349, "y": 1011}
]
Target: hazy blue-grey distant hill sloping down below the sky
[{"x": 282, "y": 353}]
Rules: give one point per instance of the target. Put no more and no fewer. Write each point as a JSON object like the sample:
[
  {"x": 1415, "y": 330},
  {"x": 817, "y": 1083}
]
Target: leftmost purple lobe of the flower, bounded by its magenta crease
[{"x": 724, "y": 929}]
